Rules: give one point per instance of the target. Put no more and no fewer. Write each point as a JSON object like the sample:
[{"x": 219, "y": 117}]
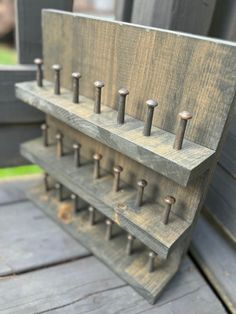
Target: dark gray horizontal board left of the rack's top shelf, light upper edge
[{"x": 13, "y": 110}]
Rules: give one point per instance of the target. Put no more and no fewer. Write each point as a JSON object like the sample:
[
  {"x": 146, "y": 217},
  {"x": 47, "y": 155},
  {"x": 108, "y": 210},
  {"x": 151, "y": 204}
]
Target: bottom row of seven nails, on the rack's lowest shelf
[{"x": 129, "y": 249}]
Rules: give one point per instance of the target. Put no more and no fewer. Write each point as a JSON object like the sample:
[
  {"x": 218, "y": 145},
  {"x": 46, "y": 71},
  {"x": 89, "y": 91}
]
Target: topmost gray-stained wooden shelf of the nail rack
[{"x": 155, "y": 152}]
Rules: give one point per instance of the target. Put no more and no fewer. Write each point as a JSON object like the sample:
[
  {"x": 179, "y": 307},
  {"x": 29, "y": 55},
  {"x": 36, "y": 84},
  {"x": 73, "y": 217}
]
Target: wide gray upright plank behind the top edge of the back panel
[{"x": 177, "y": 15}]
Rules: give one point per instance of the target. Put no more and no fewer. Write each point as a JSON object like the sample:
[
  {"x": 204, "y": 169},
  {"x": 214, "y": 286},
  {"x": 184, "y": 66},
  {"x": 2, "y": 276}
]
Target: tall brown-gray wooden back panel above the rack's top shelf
[{"x": 144, "y": 61}]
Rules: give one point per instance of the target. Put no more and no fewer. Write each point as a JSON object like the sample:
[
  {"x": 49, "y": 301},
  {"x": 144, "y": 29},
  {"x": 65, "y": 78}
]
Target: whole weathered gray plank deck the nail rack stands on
[{"x": 43, "y": 269}]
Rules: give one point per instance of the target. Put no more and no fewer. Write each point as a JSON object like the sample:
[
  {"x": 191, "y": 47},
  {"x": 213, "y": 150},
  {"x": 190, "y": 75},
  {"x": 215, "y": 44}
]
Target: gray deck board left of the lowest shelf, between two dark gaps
[{"x": 29, "y": 240}]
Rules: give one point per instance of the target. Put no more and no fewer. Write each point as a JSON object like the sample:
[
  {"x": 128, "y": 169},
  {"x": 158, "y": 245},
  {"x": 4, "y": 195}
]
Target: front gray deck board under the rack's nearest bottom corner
[{"x": 87, "y": 286}]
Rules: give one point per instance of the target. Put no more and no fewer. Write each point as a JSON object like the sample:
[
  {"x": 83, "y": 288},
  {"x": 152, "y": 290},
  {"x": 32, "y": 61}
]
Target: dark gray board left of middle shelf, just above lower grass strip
[{"x": 11, "y": 136}]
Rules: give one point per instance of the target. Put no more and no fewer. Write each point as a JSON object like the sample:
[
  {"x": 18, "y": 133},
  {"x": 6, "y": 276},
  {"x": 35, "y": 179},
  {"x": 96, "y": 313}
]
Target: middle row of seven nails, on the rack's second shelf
[{"x": 117, "y": 170}]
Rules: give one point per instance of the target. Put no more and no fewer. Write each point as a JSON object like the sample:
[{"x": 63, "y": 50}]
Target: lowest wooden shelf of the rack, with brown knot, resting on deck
[{"x": 133, "y": 268}]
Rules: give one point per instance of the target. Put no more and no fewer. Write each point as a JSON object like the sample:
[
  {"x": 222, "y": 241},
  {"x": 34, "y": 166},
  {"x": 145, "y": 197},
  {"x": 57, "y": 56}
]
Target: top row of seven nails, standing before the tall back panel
[{"x": 122, "y": 93}]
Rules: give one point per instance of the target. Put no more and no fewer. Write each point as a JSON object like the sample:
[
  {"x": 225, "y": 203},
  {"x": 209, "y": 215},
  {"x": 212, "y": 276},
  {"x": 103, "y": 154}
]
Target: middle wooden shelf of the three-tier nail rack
[{"x": 144, "y": 223}]
